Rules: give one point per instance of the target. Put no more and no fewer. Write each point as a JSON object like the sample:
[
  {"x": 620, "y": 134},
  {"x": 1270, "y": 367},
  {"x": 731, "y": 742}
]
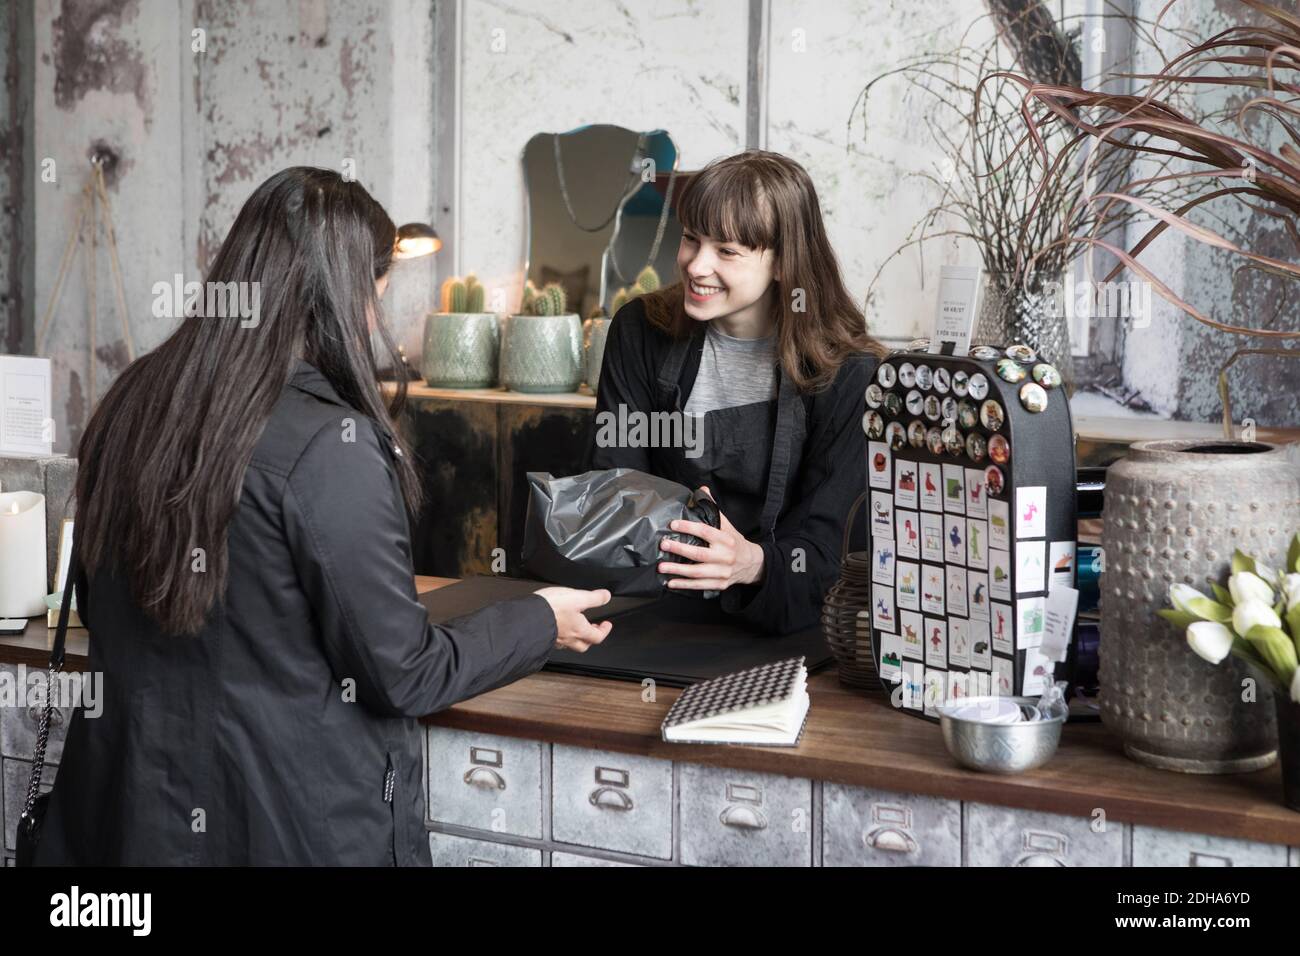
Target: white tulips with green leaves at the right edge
[{"x": 1256, "y": 618}]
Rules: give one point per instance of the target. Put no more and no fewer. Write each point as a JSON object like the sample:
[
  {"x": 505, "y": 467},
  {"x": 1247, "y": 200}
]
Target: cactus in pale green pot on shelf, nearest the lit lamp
[{"x": 461, "y": 341}]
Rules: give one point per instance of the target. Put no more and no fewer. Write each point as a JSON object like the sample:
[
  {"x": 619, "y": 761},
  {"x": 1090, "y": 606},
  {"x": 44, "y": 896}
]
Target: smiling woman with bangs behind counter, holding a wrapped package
[{"x": 761, "y": 340}]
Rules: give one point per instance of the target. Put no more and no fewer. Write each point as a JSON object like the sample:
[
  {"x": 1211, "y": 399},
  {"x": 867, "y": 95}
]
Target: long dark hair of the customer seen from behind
[{"x": 163, "y": 458}]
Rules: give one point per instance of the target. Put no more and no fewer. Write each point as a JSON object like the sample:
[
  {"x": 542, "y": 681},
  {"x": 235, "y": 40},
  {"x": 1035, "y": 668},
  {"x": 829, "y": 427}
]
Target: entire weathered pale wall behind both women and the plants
[{"x": 435, "y": 100}]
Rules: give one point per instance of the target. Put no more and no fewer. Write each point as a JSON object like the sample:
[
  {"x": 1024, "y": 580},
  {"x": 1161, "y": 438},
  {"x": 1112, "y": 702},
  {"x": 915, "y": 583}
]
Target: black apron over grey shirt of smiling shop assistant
[{"x": 748, "y": 455}]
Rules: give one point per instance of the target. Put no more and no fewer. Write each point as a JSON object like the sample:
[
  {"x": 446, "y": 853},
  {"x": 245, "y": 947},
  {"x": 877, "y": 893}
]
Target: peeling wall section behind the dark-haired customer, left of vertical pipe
[{"x": 193, "y": 133}]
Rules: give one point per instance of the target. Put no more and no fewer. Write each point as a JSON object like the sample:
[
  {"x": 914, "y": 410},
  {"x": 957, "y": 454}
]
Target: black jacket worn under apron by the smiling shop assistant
[{"x": 821, "y": 491}]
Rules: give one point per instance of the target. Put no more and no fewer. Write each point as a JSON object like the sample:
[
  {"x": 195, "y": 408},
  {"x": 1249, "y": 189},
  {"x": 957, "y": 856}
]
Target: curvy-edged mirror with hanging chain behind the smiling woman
[{"x": 600, "y": 210}]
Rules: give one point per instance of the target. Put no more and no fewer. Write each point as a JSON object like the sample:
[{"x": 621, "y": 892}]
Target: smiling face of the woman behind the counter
[{"x": 726, "y": 282}]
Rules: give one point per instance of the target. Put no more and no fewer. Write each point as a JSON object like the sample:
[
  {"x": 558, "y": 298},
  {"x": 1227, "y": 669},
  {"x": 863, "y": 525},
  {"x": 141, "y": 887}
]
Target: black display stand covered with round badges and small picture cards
[{"x": 973, "y": 520}]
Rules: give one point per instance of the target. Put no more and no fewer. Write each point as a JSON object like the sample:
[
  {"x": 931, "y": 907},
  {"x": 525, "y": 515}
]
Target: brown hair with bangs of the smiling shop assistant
[{"x": 766, "y": 201}]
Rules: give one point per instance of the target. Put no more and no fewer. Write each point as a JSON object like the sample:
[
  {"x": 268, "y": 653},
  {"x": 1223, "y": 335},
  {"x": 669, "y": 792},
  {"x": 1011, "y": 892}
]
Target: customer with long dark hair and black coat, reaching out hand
[{"x": 242, "y": 561}]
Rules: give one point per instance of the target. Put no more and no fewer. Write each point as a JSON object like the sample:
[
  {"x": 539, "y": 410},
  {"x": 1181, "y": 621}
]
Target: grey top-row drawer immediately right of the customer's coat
[{"x": 486, "y": 781}]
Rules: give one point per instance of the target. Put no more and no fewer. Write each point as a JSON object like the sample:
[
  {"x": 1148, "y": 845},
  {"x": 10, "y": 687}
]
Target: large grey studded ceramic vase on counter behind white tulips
[{"x": 1175, "y": 512}]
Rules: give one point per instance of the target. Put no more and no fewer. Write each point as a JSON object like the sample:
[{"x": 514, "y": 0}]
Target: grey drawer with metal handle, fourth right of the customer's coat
[{"x": 878, "y": 828}]
